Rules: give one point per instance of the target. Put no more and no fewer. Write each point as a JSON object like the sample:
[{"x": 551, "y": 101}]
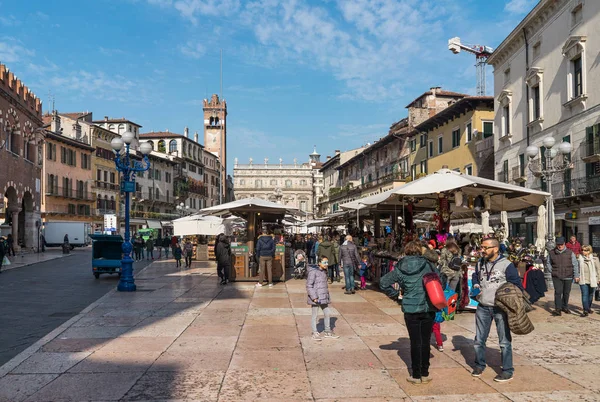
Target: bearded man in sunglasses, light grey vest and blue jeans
[{"x": 491, "y": 272}]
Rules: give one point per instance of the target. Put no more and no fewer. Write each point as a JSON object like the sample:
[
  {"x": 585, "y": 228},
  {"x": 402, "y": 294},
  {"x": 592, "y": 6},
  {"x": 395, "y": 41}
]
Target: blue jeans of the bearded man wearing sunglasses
[{"x": 483, "y": 324}]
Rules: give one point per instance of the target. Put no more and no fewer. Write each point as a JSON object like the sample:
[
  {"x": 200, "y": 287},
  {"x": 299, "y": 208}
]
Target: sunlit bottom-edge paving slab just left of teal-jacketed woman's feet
[{"x": 345, "y": 384}]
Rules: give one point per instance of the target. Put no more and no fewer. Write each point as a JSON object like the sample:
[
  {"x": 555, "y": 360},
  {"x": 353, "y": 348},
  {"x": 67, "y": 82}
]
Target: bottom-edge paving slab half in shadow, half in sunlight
[{"x": 188, "y": 386}]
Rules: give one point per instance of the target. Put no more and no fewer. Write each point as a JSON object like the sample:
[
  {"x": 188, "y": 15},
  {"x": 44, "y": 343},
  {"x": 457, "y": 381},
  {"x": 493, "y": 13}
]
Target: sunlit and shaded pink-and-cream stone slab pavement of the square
[{"x": 183, "y": 337}]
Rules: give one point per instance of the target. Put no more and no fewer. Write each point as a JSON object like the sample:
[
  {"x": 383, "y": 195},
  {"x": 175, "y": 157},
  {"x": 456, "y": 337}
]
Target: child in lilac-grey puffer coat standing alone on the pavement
[{"x": 318, "y": 298}]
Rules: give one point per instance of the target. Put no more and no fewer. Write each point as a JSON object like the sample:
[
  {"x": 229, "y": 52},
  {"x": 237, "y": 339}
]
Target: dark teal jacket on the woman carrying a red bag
[{"x": 409, "y": 275}]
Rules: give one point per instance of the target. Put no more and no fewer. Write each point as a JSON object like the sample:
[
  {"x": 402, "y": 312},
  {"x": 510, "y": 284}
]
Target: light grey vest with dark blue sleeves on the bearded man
[{"x": 490, "y": 275}]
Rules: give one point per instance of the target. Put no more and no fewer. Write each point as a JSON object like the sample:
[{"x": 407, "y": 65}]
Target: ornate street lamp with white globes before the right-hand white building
[{"x": 556, "y": 161}]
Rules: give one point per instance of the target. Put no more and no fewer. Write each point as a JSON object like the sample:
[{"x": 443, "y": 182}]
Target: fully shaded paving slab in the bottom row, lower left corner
[{"x": 87, "y": 387}]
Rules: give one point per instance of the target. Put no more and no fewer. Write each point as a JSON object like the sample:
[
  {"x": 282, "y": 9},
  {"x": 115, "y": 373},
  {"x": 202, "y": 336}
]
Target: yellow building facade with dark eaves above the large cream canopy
[{"x": 453, "y": 137}]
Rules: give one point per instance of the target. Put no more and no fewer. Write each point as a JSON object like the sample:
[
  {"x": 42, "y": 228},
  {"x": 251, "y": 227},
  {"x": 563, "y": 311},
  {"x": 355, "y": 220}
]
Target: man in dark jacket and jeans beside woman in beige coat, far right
[{"x": 562, "y": 263}]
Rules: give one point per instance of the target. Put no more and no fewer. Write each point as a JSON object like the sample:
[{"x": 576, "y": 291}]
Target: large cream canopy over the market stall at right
[{"x": 503, "y": 196}]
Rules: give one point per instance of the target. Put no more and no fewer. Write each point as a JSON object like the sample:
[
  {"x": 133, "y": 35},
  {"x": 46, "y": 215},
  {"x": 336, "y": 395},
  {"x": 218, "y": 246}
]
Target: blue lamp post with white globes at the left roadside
[{"x": 129, "y": 168}]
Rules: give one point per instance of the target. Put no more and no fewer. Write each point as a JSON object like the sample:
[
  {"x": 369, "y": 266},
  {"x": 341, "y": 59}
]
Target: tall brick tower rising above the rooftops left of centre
[{"x": 215, "y": 135}]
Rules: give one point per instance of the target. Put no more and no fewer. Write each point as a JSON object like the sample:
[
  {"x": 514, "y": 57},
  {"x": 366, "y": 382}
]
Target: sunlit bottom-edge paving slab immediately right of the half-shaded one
[{"x": 261, "y": 385}]
